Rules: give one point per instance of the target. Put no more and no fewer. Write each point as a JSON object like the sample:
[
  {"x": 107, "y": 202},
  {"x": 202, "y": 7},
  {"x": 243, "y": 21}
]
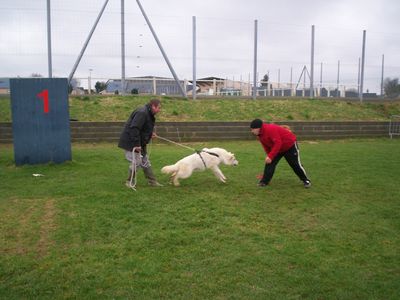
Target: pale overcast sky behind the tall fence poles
[{"x": 225, "y": 38}]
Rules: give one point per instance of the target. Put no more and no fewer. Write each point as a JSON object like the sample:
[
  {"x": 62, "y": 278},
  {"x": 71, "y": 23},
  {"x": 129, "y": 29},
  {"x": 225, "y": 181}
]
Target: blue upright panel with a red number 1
[{"x": 40, "y": 120}]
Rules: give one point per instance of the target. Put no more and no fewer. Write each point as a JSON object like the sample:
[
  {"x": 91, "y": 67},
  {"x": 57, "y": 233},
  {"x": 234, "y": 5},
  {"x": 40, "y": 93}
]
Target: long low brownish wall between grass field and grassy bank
[{"x": 205, "y": 131}]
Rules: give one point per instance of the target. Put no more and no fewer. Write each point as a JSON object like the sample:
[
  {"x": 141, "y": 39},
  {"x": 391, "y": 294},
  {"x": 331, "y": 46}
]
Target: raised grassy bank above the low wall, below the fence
[{"x": 118, "y": 108}]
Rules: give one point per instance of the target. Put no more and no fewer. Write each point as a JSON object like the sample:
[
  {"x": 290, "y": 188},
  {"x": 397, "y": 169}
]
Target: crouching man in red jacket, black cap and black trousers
[{"x": 278, "y": 142}]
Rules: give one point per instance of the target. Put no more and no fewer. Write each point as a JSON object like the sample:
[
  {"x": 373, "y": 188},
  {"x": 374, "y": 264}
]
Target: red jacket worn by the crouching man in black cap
[{"x": 275, "y": 139}]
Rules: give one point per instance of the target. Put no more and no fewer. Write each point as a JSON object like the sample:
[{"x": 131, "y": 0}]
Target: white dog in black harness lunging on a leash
[{"x": 204, "y": 159}]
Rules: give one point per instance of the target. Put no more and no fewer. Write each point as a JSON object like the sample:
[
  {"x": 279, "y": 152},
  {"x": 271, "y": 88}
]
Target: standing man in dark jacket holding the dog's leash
[{"x": 137, "y": 133}]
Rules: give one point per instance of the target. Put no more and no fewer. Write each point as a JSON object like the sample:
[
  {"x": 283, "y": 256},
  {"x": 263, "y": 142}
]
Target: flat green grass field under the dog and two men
[{"x": 78, "y": 232}]
